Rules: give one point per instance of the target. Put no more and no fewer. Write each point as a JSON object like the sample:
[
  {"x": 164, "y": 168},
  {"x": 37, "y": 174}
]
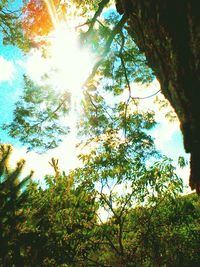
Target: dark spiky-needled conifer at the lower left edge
[{"x": 13, "y": 195}]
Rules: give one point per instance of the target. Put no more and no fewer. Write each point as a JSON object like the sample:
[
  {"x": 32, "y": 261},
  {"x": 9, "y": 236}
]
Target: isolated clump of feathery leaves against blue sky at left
[{"x": 37, "y": 116}]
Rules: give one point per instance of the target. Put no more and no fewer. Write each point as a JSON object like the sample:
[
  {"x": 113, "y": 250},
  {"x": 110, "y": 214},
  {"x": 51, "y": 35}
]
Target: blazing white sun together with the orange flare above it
[{"x": 51, "y": 27}]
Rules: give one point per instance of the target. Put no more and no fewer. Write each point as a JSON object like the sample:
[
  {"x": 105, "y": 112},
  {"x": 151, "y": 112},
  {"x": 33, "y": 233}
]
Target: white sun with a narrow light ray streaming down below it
[{"x": 71, "y": 65}]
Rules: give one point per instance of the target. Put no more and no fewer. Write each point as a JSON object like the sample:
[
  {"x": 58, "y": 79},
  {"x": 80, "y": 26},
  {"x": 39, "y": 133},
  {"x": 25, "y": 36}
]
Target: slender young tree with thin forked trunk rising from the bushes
[{"x": 124, "y": 170}]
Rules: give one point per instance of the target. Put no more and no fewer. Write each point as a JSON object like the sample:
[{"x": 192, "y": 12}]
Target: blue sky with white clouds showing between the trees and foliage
[{"x": 13, "y": 64}]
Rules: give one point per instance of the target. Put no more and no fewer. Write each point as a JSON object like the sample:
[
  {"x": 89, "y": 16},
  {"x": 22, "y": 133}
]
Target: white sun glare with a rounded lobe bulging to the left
[{"x": 66, "y": 65}]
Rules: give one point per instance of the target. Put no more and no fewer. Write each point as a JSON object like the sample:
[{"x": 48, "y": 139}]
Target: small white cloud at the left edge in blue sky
[{"x": 7, "y": 70}]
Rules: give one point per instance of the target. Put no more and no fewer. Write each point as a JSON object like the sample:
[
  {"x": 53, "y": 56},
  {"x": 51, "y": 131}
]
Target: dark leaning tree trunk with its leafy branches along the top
[{"x": 110, "y": 36}]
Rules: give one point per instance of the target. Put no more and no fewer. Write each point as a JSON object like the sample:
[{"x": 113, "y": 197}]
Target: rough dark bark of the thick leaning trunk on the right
[{"x": 168, "y": 32}]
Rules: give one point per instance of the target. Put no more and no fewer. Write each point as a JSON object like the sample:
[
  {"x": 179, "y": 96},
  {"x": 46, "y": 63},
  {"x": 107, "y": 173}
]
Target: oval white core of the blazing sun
[{"x": 71, "y": 64}]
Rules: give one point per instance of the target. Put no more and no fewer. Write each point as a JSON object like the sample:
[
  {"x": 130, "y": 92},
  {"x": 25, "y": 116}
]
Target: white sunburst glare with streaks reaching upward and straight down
[{"x": 62, "y": 64}]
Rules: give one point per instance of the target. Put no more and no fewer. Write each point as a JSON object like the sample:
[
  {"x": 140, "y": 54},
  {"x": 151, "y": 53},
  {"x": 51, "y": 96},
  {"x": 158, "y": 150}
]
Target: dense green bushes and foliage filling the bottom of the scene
[{"x": 147, "y": 223}]
